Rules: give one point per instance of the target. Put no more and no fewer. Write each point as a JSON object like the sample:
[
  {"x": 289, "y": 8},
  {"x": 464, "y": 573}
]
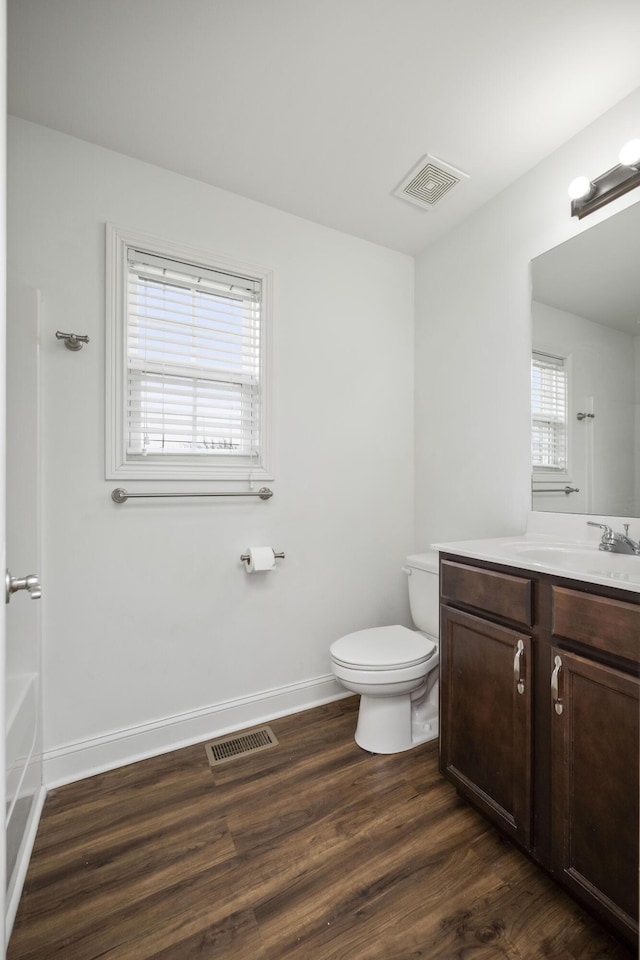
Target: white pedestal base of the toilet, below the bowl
[{"x": 392, "y": 725}]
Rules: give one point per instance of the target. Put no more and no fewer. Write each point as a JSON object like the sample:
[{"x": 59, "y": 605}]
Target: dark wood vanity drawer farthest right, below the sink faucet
[{"x": 612, "y": 626}]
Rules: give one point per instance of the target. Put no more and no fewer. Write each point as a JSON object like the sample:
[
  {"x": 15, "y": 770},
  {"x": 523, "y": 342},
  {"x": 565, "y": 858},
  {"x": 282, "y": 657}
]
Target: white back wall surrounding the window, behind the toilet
[{"x": 148, "y": 614}]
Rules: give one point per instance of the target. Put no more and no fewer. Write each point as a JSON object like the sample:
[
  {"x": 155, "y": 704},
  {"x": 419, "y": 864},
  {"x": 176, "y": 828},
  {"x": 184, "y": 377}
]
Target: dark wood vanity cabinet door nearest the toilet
[{"x": 486, "y": 728}]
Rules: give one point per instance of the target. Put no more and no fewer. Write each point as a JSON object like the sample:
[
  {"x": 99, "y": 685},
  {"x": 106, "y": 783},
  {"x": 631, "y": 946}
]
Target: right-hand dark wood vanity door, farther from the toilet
[{"x": 594, "y": 785}]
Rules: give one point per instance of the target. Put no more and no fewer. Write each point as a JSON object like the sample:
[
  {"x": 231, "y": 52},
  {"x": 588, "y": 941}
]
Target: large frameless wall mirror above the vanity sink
[{"x": 586, "y": 372}]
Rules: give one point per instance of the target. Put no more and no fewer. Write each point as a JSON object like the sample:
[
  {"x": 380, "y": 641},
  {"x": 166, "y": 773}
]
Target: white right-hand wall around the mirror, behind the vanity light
[{"x": 473, "y": 341}]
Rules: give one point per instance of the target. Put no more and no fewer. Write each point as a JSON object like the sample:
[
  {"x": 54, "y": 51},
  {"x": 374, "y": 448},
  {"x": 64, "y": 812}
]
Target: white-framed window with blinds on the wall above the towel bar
[{"x": 187, "y": 357}]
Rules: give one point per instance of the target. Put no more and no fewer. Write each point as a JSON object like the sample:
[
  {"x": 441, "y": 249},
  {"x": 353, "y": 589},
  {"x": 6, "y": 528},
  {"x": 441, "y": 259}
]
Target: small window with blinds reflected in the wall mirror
[{"x": 549, "y": 454}]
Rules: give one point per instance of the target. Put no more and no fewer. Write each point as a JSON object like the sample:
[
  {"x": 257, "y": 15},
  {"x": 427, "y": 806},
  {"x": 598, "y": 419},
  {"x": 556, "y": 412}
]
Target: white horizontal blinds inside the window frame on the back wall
[{"x": 193, "y": 339}]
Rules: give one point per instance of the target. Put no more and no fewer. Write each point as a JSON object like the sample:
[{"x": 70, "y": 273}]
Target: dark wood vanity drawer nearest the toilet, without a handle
[{"x": 495, "y": 593}]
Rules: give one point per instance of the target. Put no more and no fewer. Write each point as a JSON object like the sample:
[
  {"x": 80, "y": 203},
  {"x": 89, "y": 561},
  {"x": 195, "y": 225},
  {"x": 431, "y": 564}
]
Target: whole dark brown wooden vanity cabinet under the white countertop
[{"x": 539, "y": 723}]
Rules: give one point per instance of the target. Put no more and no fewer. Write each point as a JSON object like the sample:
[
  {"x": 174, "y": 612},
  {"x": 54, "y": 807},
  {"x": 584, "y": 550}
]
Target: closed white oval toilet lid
[{"x": 382, "y": 648}]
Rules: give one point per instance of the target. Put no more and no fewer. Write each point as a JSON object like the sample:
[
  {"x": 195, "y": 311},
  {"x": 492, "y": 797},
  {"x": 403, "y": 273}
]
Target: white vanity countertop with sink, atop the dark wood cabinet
[{"x": 576, "y": 556}]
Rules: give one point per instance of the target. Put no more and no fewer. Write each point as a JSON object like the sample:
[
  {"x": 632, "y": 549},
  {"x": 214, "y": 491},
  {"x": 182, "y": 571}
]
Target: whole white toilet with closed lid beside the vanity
[{"x": 394, "y": 669}]
